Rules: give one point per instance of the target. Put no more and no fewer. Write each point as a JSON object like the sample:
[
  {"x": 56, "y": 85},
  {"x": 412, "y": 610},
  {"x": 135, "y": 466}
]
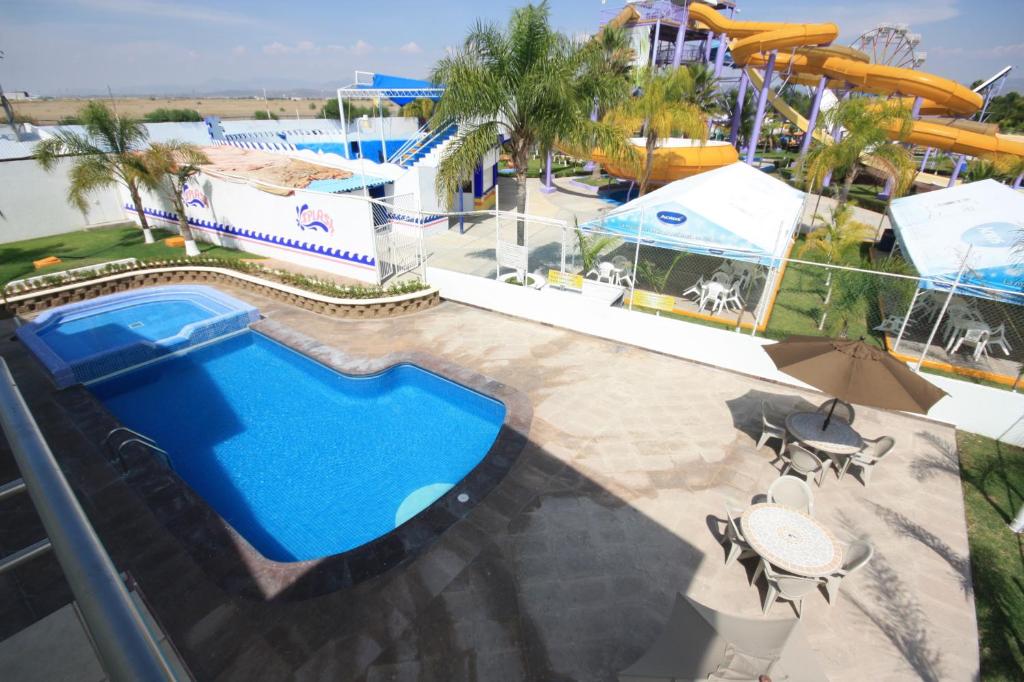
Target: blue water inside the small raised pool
[{"x": 91, "y": 334}]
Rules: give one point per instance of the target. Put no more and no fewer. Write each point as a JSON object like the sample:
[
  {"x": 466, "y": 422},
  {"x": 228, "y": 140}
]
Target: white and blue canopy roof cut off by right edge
[{"x": 979, "y": 222}]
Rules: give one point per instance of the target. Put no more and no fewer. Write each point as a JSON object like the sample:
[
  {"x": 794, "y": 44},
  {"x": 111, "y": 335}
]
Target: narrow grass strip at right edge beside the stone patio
[{"x": 994, "y": 491}]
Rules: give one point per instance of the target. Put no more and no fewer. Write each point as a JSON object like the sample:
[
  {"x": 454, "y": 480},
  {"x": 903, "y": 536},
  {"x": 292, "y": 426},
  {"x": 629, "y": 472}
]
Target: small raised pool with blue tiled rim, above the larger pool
[{"x": 82, "y": 342}]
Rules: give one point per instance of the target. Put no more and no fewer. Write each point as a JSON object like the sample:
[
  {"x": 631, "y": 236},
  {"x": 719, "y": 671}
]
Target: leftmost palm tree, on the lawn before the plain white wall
[{"x": 104, "y": 155}]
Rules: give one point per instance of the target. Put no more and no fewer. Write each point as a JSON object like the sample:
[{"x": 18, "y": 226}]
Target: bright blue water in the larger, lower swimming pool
[{"x": 303, "y": 461}]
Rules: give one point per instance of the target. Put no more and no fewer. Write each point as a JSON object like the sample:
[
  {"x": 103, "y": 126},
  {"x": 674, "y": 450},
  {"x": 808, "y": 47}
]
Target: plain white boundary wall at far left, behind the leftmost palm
[{"x": 34, "y": 202}]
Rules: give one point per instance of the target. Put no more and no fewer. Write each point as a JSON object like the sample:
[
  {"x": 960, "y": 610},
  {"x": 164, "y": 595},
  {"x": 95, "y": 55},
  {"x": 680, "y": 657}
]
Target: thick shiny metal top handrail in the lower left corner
[{"x": 127, "y": 651}]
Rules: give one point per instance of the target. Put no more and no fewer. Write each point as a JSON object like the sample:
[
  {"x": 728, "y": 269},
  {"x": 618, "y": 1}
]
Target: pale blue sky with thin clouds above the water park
[{"x": 82, "y": 47}]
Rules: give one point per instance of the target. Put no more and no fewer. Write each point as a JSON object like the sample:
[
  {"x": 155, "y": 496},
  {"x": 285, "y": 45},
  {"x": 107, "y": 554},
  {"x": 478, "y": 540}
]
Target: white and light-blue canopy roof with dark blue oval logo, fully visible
[{"x": 735, "y": 212}]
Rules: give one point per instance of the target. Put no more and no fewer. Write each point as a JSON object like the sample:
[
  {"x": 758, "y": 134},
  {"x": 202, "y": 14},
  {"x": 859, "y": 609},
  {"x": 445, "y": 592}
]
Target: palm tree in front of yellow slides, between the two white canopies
[{"x": 868, "y": 125}]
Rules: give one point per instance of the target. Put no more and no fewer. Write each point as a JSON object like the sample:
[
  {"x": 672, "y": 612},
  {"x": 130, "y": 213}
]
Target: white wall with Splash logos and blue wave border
[{"x": 240, "y": 217}]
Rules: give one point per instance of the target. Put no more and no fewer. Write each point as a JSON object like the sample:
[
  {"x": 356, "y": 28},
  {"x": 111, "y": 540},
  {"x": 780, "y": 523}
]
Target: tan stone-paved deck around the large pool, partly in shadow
[{"x": 569, "y": 569}]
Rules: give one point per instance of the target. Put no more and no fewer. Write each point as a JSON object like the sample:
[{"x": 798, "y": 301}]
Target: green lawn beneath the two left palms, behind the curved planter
[{"x": 95, "y": 246}]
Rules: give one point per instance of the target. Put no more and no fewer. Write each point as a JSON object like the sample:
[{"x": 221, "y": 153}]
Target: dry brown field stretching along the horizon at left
[{"x": 52, "y": 111}]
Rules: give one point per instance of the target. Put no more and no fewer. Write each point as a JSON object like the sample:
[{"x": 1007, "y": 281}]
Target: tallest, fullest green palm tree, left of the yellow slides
[{"x": 521, "y": 88}]
